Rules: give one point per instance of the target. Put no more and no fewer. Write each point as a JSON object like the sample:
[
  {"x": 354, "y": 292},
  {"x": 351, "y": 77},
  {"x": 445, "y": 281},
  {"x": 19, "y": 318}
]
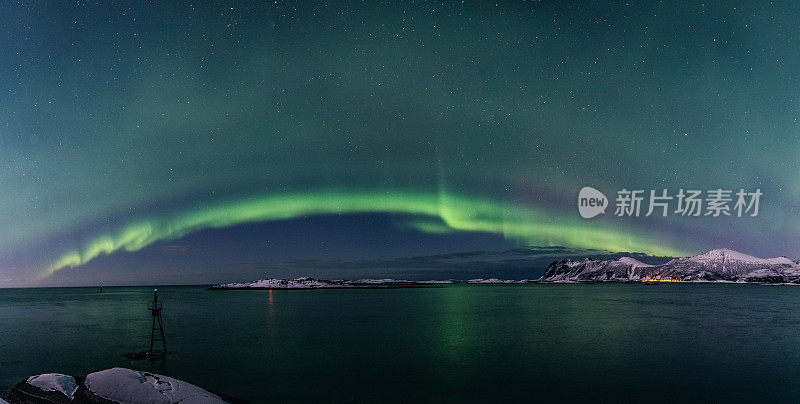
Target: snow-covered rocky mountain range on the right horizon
[{"x": 722, "y": 265}]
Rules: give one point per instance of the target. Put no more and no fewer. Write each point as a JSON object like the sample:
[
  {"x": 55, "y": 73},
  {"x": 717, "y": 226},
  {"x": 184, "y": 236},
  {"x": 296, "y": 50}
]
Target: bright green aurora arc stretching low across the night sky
[{"x": 456, "y": 213}]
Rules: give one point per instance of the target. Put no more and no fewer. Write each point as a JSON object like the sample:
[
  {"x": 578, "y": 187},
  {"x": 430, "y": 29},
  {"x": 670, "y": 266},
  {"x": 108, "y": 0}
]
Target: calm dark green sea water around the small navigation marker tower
[{"x": 459, "y": 343}]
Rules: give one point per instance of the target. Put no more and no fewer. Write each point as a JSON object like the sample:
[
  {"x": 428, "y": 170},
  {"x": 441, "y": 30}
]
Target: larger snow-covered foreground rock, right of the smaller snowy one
[{"x": 123, "y": 385}]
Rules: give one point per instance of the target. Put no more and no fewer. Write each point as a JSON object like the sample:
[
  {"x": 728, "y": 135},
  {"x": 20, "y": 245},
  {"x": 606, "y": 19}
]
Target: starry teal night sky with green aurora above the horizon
[{"x": 181, "y": 142}]
